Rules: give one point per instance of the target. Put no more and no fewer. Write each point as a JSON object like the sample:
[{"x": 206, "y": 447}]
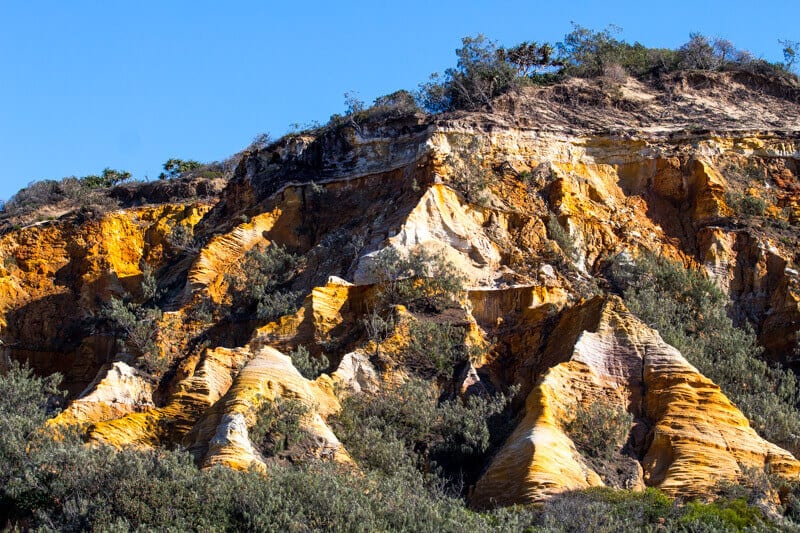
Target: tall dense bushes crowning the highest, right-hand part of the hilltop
[{"x": 486, "y": 70}]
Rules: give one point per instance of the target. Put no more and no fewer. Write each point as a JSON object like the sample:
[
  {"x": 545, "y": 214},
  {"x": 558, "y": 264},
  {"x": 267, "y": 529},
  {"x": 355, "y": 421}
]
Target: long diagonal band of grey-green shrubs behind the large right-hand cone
[{"x": 689, "y": 311}]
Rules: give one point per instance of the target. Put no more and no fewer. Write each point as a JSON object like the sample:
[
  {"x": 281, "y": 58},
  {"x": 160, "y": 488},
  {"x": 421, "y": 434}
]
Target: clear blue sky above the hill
[{"x": 90, "y": 84}]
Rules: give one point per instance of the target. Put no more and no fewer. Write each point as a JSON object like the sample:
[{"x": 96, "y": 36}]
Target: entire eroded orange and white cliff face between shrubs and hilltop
[{"x": 528, "y": 211}]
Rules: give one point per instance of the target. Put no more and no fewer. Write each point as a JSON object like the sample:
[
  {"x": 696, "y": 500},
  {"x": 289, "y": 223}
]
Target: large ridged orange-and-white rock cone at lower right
[{"x": 688, "y": 434}]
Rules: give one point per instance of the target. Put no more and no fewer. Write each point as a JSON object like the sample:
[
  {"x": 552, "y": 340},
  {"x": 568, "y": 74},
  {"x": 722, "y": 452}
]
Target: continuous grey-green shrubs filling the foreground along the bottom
[{"x": 62, "y": 484}]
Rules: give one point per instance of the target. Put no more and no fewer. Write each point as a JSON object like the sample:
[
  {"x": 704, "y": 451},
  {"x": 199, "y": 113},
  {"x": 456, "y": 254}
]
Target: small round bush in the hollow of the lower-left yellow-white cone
[{"x": 277, "y": 425}]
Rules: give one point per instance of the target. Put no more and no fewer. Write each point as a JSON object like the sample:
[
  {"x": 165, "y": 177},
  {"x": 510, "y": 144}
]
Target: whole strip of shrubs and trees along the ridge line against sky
[{"x": 484, "y": 71}]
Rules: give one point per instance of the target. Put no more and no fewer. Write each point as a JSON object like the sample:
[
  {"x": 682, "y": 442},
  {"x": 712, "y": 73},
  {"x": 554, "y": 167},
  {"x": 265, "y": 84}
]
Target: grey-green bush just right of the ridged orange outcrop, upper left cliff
[{"x": 258, "y": 285}]
